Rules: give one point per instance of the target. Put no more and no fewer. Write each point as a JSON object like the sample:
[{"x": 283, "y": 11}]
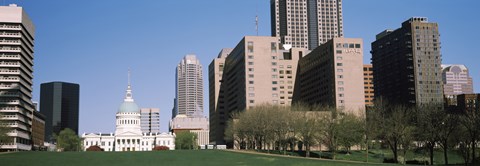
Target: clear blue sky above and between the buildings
[{"x": 93, "y": 43}]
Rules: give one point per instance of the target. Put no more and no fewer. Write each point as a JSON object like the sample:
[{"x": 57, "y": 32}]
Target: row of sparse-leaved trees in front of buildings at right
[{"x": 400, "y": 128}]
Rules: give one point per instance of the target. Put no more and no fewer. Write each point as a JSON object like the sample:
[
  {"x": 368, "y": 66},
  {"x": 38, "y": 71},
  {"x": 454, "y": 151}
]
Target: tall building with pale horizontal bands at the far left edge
[{"x": 17, "y": 34}]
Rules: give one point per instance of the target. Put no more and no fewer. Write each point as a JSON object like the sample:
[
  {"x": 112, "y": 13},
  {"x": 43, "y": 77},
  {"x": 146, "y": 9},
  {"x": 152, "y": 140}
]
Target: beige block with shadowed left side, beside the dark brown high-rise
[{"x": 332, "y": 74}]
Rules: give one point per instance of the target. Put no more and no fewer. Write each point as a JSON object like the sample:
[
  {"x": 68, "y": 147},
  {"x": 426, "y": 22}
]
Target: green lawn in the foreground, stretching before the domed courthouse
[{"x": 177, "y": 157}]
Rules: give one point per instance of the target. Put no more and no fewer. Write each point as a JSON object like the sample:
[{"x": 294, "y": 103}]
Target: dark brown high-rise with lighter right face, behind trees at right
[{"x": 407, "y": 63}]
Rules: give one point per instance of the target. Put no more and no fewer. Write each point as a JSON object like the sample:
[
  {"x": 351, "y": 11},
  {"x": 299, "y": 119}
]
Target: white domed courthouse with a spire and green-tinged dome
[{"x": 128, "y": 135}]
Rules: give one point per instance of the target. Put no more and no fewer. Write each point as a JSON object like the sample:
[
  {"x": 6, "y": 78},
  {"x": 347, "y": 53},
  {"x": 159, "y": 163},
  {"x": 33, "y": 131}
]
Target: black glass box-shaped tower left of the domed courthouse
[{"x": 59, "y": 102}]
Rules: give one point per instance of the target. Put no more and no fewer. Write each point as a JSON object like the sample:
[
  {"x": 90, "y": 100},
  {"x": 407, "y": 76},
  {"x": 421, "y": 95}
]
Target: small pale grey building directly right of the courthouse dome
[{"x": 150, "y": 120}]
